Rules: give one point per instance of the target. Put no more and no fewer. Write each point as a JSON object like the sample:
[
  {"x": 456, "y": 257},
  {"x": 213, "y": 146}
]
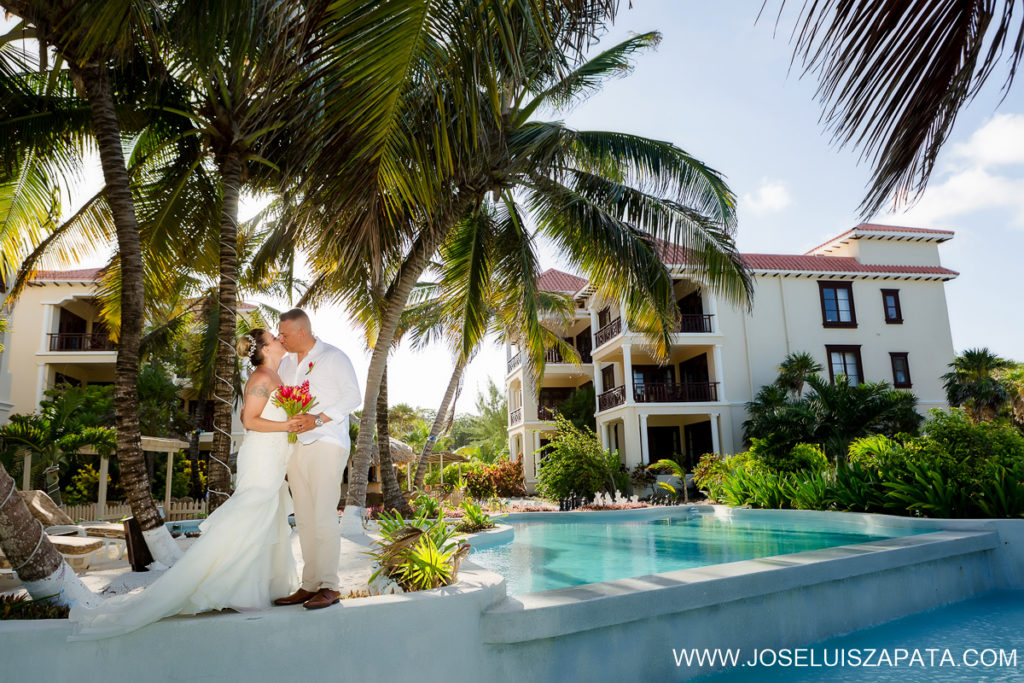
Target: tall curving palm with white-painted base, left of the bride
[{"x": 97, "y": 42}]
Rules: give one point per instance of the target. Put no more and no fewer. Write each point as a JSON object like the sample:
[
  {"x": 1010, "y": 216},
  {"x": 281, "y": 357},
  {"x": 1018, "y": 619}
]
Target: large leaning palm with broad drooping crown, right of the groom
[{"x": 603, "y": 197}]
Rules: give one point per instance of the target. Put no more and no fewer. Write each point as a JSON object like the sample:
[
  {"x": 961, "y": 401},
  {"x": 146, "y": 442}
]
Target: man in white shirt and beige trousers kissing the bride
[{"x": 315, "y": 471}]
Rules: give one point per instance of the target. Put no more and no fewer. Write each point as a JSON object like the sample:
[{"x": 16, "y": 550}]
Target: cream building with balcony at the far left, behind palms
[{"x": 56, "y": 335}]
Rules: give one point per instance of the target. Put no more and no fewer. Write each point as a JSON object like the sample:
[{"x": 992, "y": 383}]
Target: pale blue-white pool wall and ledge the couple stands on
[{"x": 615, "y": 631}]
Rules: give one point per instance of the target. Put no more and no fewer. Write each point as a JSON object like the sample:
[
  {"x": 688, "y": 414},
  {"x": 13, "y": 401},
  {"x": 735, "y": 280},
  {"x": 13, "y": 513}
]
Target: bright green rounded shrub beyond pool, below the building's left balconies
[{"x": 575, "y": 463}]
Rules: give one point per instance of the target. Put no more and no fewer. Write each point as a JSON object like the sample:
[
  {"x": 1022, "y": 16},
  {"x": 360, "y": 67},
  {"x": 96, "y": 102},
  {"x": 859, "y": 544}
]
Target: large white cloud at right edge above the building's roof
[{"x": 978, "y": 177}]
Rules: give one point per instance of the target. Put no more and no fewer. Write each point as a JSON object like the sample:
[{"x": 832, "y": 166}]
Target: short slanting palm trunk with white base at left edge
[{"x": 34, "y": 559}]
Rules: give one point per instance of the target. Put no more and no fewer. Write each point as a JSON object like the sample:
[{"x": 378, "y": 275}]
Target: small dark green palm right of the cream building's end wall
[{"x": 973, "y": 385}]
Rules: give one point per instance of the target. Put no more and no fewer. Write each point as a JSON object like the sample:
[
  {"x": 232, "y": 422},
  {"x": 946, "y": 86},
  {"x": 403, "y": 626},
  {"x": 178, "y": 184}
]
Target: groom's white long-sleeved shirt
[{"x": 332, "y": 383}]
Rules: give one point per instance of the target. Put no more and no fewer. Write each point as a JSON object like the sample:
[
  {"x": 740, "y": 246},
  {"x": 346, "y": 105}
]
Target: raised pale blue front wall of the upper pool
[{"x": 531, "y": 617}]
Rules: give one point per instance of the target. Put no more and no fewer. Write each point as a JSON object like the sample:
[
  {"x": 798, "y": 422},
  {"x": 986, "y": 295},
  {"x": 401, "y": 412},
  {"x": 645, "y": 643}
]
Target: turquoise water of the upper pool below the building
[{"x": 548, "y": 554}]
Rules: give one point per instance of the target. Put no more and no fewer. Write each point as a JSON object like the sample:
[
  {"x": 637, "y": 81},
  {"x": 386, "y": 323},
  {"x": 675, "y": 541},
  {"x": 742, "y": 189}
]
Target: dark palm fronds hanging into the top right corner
[{"x": 893, "y": 76}]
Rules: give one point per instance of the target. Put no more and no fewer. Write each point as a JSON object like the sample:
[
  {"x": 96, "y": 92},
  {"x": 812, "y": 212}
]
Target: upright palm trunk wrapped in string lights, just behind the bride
[{"x": 220, "y": 475}]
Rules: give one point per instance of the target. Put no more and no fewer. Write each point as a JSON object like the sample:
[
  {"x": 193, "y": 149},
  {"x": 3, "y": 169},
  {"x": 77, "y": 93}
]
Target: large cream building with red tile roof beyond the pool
[{"x": 869, "y": 304}]
